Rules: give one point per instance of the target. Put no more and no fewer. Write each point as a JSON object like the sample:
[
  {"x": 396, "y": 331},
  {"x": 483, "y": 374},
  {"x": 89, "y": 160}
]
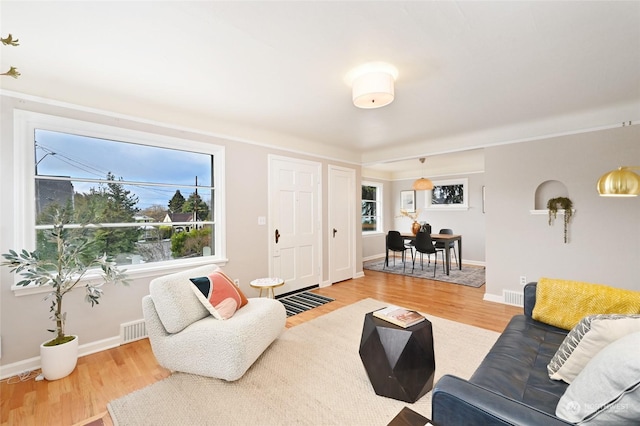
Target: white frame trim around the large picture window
[{"x": 25, "y": 123}]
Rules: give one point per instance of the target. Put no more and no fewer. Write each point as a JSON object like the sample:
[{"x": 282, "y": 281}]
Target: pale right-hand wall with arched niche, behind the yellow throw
[{"x": 604, "y": 245}]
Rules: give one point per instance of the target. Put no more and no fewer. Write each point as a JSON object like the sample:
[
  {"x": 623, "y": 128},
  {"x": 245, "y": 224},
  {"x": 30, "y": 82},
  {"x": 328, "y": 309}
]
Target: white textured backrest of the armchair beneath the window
[{"x": 174, "y": 300}]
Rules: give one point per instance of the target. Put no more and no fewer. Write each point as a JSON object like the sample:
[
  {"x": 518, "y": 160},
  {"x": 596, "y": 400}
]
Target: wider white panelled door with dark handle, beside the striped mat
[{"x": 294, "y": 203}]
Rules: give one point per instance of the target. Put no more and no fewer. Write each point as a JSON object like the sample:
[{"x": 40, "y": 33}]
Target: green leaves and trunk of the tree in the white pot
[{"x": 71, "y": 262}]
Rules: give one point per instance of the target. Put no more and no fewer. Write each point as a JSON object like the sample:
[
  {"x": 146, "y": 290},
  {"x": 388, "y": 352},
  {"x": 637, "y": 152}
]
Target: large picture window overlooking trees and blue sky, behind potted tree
[{"x": 138, "y": 198}]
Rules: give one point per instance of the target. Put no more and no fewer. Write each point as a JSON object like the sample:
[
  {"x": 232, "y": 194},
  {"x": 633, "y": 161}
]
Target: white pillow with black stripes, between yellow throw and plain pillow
[{"x": 586, "y": 339}]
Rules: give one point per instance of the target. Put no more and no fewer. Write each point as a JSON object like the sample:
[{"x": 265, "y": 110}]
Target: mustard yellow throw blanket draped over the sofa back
[{"x": 563, "y": 303}]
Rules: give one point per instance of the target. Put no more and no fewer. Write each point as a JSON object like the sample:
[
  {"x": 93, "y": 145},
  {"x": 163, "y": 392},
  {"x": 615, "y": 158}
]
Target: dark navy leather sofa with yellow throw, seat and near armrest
[{"x": 511, "y": 386}]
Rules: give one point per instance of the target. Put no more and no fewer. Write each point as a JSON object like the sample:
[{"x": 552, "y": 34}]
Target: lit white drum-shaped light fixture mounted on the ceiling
[{"x": 372, "y": 84}]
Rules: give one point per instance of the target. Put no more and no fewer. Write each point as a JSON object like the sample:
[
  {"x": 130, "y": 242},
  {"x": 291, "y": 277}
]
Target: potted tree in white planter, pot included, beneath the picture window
[{"x": 64, "y": 271}]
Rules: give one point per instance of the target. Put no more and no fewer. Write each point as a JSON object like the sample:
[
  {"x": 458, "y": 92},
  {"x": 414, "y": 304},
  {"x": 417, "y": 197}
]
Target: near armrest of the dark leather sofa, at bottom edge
[{"x": 457, "y": 401}]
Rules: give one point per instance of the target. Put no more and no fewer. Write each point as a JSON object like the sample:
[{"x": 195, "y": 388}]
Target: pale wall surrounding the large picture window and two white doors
[{"x": 24, "y": 319}]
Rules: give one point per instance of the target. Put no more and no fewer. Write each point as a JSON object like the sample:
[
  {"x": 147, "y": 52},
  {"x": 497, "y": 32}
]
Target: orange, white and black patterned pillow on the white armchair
[{"x": 218, "y": 294}]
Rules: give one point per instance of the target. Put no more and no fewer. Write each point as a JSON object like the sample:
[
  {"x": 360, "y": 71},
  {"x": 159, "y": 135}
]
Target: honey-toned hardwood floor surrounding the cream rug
[{"x": 82, "y": 397}]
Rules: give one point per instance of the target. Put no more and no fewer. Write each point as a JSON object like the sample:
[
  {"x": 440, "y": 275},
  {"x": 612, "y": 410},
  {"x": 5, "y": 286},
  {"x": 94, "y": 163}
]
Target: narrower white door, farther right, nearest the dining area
[{"x": 342, "y": 225}]
